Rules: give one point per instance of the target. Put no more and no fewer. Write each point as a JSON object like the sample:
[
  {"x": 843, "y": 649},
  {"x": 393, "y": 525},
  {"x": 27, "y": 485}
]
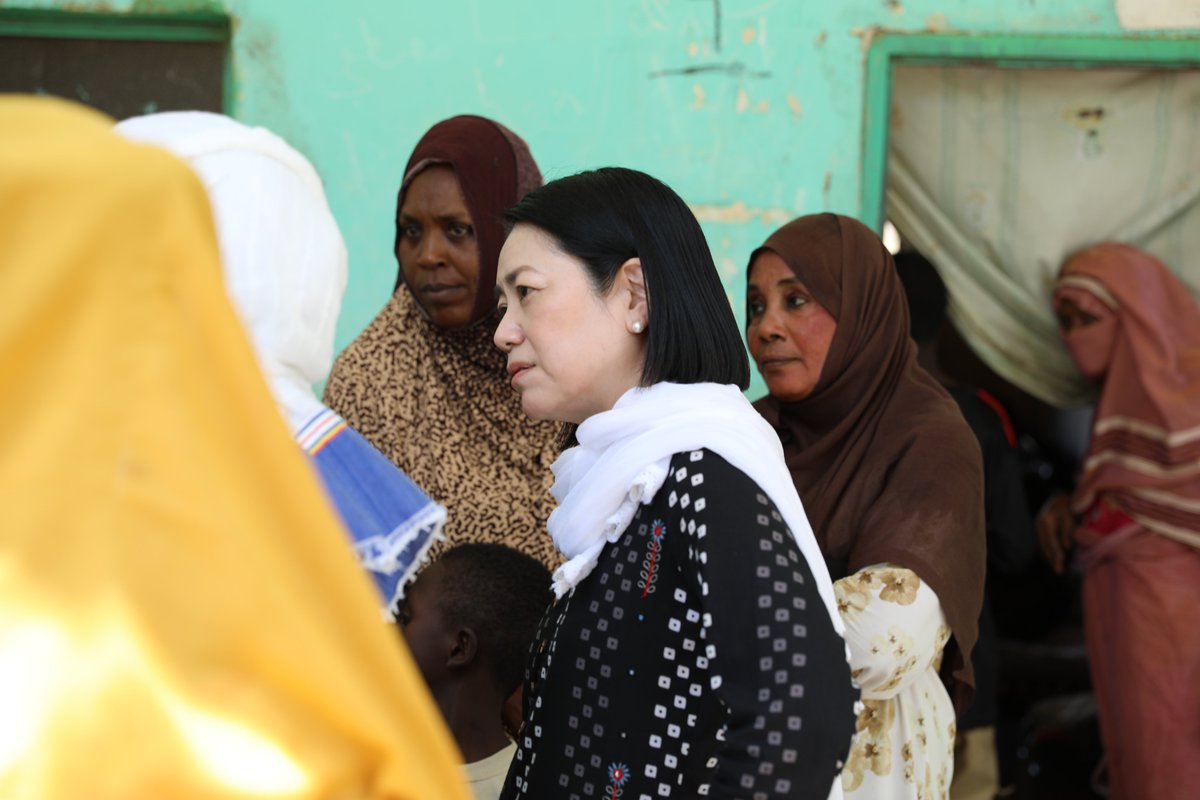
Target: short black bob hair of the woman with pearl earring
[{"x": 605, "y": 218}]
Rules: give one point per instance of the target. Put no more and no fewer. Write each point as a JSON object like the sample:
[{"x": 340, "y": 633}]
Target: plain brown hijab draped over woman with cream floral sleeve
[{"x": 887, "y": 468}]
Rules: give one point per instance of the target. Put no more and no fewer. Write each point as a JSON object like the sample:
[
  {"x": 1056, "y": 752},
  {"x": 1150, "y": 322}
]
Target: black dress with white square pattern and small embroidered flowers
[{"x": 697, "y": 660}]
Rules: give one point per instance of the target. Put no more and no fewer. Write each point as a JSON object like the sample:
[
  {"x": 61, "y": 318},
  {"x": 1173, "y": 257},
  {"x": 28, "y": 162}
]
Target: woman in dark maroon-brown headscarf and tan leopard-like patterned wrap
[{"x": 424, "y": 383}]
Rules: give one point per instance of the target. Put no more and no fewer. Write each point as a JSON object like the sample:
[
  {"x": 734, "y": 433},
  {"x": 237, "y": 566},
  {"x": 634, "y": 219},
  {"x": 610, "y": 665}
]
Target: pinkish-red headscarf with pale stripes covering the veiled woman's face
[{"x": 1145, "y": 447}]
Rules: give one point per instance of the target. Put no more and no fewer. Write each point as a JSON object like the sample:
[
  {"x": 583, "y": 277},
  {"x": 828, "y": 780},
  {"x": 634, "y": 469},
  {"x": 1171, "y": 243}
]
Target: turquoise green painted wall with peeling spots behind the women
[{"x": 772, "y": 130}]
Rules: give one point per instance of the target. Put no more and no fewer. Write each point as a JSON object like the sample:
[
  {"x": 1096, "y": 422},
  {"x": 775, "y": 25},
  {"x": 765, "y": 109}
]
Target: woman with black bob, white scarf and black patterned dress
[{"x": 694, "y": 647}]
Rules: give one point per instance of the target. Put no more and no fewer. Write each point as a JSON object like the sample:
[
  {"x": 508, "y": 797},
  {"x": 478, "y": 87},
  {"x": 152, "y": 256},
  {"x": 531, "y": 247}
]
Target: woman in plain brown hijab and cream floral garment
[{"x": 892, "y": 480}]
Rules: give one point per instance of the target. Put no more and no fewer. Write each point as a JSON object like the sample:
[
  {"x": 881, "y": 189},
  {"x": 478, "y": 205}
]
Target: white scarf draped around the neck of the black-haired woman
[{"x": 622, "y": 461}]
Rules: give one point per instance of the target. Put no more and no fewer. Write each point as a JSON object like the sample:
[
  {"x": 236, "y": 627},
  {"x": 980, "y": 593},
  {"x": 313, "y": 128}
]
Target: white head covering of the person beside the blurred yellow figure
[{"x": 285, "y": 260}]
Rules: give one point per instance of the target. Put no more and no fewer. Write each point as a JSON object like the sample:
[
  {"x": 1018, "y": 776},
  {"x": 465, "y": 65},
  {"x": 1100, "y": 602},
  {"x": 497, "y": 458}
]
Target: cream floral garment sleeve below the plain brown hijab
[{"x": 896, "y": 630}]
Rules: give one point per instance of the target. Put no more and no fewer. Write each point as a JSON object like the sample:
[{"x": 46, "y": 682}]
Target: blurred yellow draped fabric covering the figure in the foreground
[{"x": 181, "y": 615}]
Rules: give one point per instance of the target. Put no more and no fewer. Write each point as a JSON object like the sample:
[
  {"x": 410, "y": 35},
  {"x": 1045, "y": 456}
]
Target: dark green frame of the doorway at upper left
[{"x": 182, "y": 27}]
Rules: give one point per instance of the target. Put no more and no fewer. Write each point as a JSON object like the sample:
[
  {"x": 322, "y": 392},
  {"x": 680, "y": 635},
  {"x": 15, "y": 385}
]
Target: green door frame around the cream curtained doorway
[{"x": 890, "y": 51}]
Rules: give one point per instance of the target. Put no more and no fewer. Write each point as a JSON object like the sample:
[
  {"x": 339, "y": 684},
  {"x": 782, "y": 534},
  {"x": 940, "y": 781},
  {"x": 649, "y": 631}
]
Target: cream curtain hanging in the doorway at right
[{"x": 998, "y": 176}]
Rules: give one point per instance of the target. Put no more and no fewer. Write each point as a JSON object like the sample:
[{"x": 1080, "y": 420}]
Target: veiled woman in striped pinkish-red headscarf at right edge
[{"x": 1133, "y": 327}]
